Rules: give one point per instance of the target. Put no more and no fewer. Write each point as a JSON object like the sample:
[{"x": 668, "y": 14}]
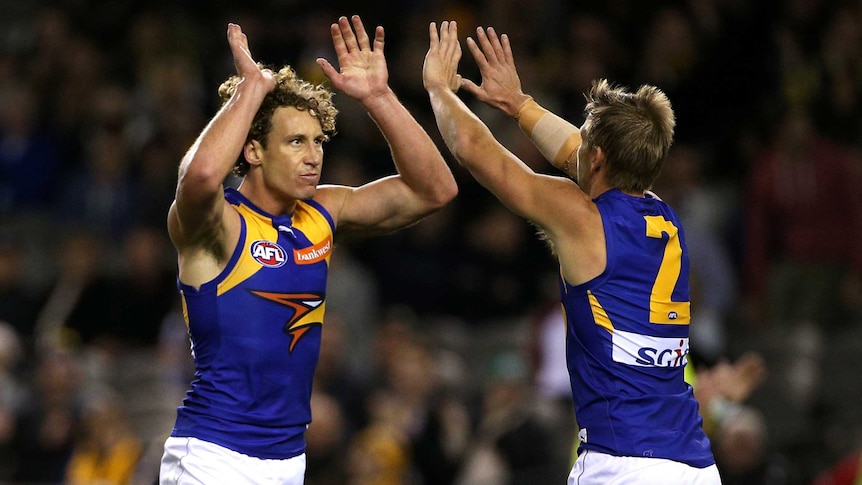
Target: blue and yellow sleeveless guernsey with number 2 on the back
[{"x": 627, "y": 339}]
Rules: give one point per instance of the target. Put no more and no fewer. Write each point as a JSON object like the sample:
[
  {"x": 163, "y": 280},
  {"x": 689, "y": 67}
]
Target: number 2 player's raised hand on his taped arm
[{"x": 501, "y": 86}]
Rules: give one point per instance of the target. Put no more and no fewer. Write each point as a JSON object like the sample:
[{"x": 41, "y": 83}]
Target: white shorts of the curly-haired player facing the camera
[{"x": 190, "y": 461}]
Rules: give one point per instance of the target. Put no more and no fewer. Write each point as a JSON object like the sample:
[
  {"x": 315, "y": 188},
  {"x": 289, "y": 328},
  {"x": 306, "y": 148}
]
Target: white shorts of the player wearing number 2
[{"x": 594, "y": 468}]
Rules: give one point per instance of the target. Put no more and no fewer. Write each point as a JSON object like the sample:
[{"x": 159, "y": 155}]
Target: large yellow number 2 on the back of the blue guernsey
[{"x": 663, "y": 310}]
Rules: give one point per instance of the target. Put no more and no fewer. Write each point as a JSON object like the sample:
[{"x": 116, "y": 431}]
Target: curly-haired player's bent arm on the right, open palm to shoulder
[{"x": 424, "y": 182}]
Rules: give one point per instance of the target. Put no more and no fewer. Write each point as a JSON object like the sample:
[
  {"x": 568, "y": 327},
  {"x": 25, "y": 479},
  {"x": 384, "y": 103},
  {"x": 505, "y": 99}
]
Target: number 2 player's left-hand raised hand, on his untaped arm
[{"x": 441, "y": 61}]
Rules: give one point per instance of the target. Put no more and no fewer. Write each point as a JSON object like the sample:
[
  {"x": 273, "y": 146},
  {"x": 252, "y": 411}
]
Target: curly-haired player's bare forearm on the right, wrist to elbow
[{"x": 418, "y": 161}]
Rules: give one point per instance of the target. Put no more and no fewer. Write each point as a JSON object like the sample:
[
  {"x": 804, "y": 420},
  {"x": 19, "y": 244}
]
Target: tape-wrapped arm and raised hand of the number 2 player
[{"x": 556, "y": 138}]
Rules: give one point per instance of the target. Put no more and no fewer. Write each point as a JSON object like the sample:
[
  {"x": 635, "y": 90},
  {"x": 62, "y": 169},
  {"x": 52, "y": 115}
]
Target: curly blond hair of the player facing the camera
[{"x": 290, "y": 90}]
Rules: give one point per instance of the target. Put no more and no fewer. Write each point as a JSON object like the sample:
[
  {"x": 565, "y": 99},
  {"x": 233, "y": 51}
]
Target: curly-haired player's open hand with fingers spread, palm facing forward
[{"x": 363, "y": 73}]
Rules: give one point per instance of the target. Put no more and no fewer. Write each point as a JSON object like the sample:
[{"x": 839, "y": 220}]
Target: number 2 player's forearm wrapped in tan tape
[{"x": 556, "y": 138}]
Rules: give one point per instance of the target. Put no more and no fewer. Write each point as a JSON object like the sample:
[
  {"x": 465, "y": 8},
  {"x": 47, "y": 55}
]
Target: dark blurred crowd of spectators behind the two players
[{"x": 443, "y": 355}]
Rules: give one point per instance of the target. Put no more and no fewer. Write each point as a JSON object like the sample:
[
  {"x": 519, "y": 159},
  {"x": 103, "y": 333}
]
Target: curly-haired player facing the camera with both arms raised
[{"x": 270, "y": 131}]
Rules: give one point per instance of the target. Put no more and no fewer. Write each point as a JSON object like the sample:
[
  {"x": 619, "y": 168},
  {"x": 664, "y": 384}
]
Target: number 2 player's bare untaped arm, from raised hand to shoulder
[{"x": 556, "y": 204}]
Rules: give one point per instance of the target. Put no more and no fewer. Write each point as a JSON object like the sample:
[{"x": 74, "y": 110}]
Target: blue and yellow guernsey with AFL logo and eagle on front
[{"x": 255, "y": 333}]
